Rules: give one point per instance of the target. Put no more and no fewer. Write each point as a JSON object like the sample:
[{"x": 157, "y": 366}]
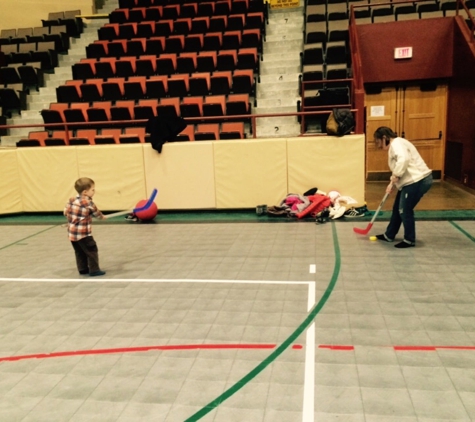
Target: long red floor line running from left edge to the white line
[{"x": 142, "y": 349}]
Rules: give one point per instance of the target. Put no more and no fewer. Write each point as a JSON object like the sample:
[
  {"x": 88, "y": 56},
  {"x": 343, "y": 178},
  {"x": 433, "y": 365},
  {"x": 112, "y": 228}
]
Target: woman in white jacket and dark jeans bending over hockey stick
[{"x": 412, "y": 178}]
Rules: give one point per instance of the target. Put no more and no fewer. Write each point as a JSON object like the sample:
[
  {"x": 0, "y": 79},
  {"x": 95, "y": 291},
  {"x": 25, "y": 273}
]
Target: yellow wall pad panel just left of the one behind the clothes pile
[{"x": 249, "y": 173}]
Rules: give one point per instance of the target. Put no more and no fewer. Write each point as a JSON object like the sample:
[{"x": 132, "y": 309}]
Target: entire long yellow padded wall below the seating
[{"x": 188, "y": 175}]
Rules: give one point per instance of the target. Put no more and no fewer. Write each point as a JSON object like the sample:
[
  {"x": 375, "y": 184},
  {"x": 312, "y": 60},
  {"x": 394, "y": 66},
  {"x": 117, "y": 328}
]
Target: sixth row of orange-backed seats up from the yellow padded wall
[{"x": 164, "y": 27}]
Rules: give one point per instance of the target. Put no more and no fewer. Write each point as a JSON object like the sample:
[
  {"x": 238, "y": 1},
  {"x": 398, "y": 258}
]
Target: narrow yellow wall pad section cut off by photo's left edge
[{"x": 10, "y": 189}]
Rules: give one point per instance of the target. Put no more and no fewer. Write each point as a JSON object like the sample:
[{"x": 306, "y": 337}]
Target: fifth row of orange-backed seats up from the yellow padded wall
[{"x": 175, "y": 44}]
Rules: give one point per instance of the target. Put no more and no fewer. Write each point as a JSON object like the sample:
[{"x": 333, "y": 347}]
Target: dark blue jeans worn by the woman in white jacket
[{"x": 403, "y": 209}]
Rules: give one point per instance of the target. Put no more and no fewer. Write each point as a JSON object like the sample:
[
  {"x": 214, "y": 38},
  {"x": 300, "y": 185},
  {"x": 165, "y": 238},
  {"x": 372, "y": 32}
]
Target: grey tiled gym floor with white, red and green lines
[{"x": 240, "y": 321}]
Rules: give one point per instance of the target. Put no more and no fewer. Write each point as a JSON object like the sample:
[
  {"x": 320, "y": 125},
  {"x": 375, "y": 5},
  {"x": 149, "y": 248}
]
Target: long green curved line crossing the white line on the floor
[{"x": 280, "y": 349}]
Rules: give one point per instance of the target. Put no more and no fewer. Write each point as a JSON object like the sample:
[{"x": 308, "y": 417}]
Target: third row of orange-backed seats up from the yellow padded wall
[{"x": 138, "y": 87}]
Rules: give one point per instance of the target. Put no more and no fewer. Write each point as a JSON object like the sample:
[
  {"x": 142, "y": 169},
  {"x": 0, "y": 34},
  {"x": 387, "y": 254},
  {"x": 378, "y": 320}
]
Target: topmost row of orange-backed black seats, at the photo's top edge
[{"x": 188, "y": 10}]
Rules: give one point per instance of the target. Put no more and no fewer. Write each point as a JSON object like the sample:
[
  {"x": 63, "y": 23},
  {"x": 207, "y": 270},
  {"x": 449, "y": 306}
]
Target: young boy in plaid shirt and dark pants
[{"x": 79, "y": 212}]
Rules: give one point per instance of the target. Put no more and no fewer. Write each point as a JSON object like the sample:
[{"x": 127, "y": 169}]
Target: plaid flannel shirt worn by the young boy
[{"x": 79, "y": 212}]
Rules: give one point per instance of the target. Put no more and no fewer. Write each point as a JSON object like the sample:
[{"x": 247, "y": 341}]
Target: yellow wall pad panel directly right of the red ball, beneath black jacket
[{"x": 183, "y": 173}]
